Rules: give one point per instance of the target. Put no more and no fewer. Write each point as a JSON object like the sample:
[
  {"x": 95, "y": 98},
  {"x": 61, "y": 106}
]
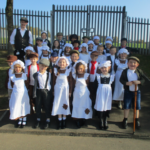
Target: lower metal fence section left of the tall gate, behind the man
[{"x": 38, "y": 21}]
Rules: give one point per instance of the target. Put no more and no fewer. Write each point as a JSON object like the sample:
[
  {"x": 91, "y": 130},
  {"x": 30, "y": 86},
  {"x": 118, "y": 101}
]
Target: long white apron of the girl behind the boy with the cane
[{"x": 119, "y": 90}]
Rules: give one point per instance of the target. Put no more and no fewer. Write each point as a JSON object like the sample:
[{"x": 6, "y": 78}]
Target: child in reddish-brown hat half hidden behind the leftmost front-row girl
[{"x": 10, "y": 60}]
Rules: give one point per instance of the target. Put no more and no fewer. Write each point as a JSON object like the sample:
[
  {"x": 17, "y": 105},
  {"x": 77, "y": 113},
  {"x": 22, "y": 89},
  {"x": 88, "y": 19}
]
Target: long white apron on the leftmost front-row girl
[{"x": 19, "y": 101}]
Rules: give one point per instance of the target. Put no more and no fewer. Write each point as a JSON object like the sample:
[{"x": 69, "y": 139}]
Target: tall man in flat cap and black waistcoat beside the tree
[{"x": 21, "y": 38}]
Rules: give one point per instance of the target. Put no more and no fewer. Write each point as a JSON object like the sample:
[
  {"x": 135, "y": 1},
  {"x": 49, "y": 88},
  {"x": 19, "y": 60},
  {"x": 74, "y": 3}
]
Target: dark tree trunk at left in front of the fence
[{"x": 9, "y": 15}]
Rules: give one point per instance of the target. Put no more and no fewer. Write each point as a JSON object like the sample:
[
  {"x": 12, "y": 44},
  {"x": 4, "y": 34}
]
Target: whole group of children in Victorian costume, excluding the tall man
[{"x": 72, "y": 79}]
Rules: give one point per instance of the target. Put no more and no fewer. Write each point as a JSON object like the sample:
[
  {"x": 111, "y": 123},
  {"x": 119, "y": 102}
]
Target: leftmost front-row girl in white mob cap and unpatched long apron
[{"x": 19, "y": 101}]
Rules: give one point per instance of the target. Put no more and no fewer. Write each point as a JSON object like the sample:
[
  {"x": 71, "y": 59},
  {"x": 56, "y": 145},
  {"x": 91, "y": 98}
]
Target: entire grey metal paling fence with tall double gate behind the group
[{"x": 83, "y": 20}]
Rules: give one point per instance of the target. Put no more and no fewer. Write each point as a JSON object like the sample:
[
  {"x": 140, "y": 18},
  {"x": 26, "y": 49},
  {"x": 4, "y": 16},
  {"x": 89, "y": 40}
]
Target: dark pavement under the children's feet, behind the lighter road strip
[{"x": 115, "y": 126}]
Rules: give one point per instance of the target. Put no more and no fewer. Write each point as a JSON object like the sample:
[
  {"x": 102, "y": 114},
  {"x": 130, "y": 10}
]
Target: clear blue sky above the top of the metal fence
[{"x": 134, "y": 8}]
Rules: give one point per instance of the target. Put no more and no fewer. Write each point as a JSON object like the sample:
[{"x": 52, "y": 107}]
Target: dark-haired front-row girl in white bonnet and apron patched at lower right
[{"x": 82, "y": 104}]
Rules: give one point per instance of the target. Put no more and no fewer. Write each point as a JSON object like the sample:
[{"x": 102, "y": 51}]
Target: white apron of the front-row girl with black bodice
[{"x": 104, "y": 95}]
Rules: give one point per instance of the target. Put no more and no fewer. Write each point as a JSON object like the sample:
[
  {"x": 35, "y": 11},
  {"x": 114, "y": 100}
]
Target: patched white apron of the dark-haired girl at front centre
[{"x": 81, "y": 98}]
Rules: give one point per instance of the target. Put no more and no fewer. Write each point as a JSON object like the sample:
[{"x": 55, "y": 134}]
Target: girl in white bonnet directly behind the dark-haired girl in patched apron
[{"x": 84, "y": 53}]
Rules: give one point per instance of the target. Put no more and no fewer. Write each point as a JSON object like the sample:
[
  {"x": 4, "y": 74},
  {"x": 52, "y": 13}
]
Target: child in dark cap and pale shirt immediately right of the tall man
[{"x": 38, "y": 47}]
